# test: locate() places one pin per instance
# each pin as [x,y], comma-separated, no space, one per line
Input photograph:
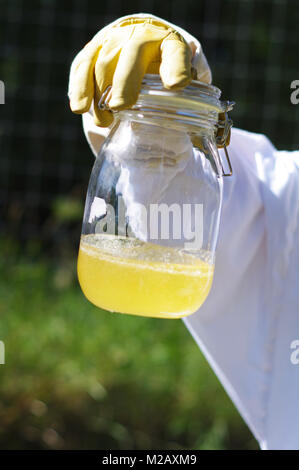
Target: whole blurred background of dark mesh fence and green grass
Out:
[76,377]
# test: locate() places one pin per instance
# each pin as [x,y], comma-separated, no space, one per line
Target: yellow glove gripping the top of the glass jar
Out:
[120,55]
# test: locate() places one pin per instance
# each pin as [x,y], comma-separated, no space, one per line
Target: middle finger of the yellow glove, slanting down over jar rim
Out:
[133,62]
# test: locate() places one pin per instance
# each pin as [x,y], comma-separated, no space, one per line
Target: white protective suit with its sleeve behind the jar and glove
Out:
[246,326]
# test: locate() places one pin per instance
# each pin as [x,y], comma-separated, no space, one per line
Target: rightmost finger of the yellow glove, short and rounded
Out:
[175,68]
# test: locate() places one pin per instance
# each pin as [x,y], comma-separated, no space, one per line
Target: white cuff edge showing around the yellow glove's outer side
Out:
[95,135]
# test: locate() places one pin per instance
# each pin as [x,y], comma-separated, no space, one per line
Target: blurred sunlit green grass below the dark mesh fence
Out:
[77,377]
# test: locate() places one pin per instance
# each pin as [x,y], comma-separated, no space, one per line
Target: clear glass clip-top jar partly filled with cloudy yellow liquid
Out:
[153,205]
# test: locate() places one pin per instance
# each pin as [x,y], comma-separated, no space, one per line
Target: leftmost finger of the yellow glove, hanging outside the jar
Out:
[81,83]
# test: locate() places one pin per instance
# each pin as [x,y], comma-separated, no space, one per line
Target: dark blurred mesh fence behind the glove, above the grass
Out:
[252,47]
